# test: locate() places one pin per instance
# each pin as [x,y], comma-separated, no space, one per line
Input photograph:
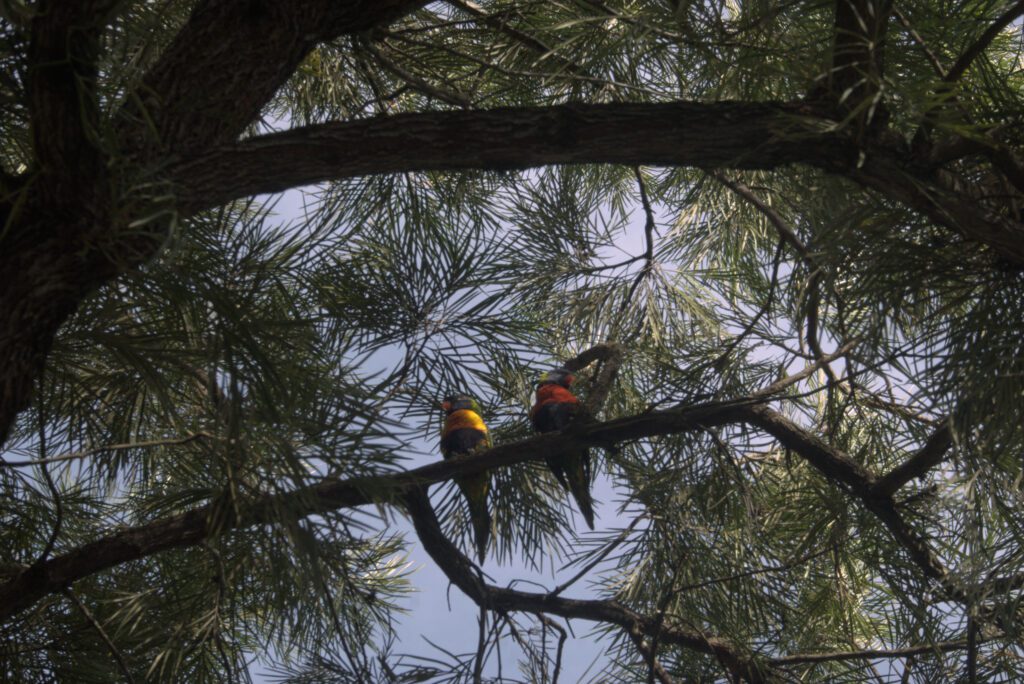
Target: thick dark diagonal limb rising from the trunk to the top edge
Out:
[232,57]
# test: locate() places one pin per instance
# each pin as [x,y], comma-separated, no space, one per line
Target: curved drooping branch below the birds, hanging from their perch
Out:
[462,574]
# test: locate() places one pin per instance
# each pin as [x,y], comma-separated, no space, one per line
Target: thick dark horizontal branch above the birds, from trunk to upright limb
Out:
[729,135]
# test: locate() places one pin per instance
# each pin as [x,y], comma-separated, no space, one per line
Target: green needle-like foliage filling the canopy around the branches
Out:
[261,356]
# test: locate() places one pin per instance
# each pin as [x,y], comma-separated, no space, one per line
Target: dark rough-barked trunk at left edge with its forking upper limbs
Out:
[63,235]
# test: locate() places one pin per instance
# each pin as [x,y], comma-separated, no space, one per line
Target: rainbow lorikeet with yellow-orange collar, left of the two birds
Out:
[462,435]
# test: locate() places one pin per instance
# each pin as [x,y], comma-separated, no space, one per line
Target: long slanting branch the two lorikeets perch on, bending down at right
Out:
[198,526]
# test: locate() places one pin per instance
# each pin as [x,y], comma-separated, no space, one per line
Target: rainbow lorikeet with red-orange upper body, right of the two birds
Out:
[558,407]
